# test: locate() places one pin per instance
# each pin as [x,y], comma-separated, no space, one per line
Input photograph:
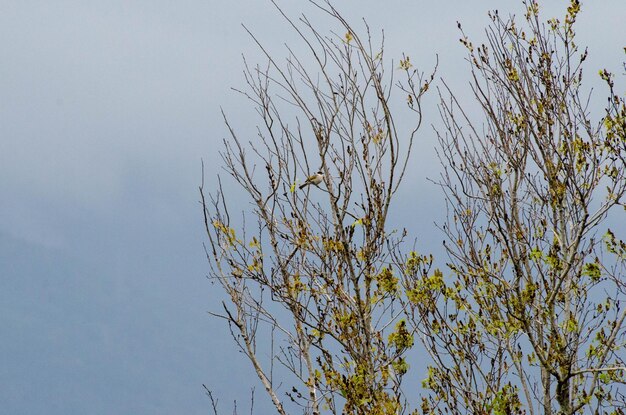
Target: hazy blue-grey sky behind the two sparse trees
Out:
[106,111]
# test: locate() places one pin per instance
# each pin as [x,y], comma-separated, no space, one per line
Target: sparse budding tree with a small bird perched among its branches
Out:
[311,280]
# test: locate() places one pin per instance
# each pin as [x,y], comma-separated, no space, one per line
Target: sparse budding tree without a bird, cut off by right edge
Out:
[531,319]
